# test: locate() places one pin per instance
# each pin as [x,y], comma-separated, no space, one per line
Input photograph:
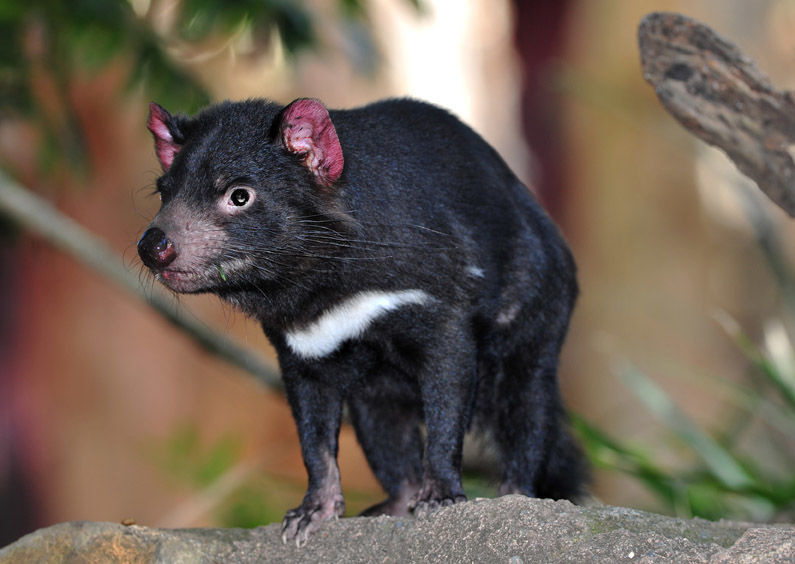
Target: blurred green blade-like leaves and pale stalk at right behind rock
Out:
[742,468]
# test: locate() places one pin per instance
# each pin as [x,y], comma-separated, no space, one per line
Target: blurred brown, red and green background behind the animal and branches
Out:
[679,366]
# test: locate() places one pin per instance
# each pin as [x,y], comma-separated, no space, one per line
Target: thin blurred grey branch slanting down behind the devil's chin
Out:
[37,215]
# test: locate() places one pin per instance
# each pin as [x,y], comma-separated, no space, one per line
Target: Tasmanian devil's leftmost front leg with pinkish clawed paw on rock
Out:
[317,410]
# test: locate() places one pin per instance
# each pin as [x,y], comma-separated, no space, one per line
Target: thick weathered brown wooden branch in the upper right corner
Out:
[718,94]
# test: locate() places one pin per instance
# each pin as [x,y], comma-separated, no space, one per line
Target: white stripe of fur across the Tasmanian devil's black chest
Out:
[348,320]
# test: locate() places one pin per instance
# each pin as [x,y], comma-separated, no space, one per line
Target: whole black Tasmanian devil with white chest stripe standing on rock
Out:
[398,267]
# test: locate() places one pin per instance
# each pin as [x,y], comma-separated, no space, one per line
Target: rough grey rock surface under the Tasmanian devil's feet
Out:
[512,529]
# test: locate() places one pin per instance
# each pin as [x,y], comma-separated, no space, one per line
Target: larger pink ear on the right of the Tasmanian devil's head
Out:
[307,130]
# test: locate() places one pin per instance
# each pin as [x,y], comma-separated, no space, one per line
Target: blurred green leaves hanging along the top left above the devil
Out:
[47,43]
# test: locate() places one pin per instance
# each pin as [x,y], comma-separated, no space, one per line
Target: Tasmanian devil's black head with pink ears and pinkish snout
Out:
[242,184]
